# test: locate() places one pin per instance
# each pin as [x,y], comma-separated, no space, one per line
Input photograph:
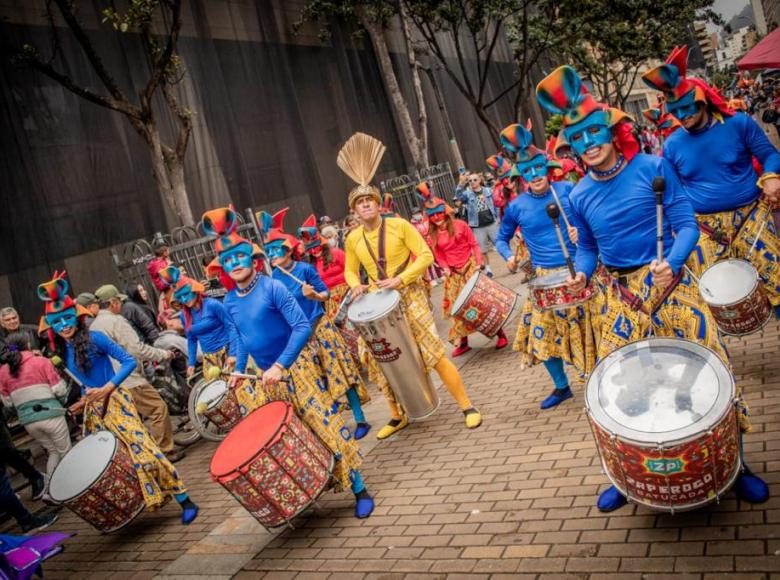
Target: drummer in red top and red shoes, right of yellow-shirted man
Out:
[457,251]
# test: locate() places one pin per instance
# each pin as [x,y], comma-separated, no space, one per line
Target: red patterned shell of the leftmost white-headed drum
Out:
[114,499]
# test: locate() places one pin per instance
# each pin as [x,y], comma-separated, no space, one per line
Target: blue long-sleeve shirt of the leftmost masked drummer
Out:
[101,350]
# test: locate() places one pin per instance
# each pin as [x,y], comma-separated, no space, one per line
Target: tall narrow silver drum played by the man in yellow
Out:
[379,318]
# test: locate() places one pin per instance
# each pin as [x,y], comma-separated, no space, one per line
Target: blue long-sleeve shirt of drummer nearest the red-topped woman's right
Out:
[529,213]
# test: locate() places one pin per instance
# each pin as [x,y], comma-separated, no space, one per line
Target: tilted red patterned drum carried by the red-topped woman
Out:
[483,304]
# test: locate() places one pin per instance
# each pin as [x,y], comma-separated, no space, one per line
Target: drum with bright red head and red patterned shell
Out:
[272,464]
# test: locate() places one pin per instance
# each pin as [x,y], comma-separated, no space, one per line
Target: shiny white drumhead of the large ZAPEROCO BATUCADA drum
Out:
[659,390]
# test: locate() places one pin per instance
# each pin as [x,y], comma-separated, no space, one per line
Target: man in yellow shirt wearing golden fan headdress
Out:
[384,246]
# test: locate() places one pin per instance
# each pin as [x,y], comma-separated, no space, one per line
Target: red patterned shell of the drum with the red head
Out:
[284,477]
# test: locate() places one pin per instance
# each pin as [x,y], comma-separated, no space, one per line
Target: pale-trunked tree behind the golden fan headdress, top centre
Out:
[374,18]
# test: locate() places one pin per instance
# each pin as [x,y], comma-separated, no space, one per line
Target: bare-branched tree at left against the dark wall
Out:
[165,72]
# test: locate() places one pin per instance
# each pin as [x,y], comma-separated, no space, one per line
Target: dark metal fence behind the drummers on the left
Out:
[188,248]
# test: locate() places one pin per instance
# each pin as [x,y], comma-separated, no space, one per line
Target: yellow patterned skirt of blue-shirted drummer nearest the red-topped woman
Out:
[566,334]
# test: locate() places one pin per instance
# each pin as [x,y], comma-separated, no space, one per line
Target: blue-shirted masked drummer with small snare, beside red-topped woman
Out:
[552,337]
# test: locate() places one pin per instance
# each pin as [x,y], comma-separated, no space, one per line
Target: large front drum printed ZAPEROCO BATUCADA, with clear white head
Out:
[664,418]
